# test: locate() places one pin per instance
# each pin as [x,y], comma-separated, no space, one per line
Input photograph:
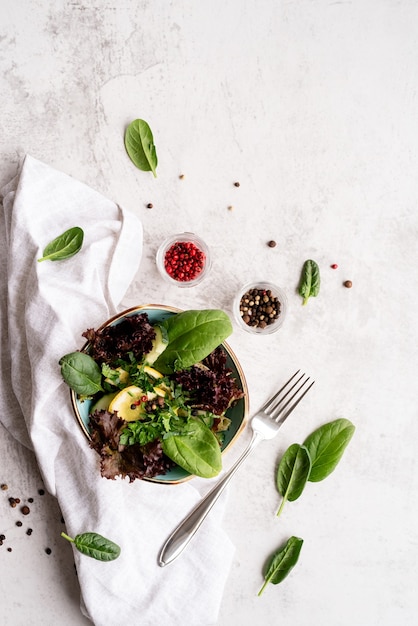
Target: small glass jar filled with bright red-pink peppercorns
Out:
[183,260]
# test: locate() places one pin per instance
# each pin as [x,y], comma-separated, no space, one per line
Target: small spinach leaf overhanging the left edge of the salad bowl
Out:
[81,373]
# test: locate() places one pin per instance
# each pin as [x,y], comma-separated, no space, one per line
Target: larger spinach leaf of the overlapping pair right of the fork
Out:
[326,446]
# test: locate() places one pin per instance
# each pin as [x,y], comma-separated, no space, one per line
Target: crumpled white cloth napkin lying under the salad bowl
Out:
[44,309]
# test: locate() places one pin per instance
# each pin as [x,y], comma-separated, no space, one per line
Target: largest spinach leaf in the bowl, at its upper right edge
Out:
[192,335]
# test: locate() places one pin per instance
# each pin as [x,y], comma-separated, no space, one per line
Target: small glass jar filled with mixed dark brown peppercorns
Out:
[260,307]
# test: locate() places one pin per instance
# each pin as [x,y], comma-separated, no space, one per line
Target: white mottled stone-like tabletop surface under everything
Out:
[312,107]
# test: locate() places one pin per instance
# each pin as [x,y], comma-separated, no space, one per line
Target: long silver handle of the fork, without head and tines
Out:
[185,531]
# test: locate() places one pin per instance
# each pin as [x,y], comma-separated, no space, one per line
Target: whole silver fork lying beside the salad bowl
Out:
[265,425]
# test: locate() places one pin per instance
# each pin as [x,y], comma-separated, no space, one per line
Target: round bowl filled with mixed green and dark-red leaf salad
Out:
[158,393]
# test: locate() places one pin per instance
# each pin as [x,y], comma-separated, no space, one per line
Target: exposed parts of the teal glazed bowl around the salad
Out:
[237,414]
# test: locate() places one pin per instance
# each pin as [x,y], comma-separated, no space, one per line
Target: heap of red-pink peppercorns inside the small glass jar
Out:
[184,261]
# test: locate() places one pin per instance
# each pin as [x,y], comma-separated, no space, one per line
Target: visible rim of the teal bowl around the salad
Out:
[224,344]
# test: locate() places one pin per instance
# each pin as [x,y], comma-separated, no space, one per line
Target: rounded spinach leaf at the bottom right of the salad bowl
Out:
[195,449]
